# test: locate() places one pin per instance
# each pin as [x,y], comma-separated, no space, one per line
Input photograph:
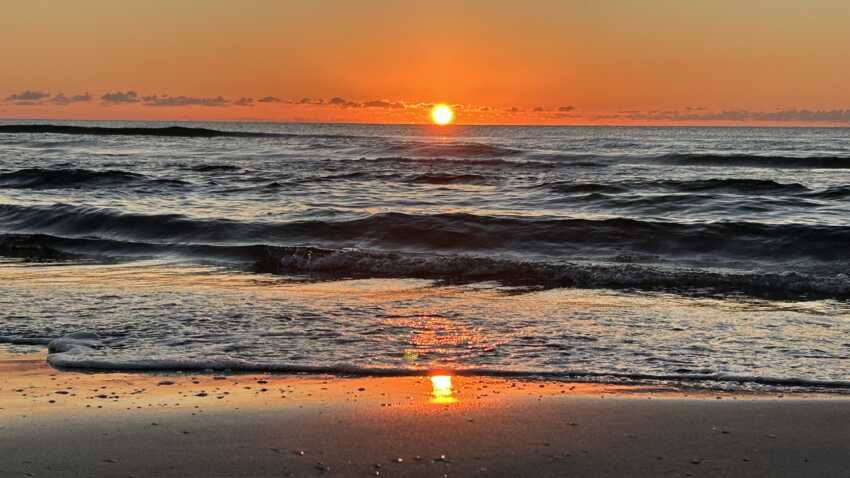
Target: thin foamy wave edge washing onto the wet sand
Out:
[74,352]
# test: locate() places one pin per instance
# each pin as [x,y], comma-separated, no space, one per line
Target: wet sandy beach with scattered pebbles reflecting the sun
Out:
[119,425]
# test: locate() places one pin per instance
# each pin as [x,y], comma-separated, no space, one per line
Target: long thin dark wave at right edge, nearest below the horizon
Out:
[754,161]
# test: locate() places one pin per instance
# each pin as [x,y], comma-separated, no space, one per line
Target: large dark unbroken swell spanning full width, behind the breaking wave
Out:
[452,233]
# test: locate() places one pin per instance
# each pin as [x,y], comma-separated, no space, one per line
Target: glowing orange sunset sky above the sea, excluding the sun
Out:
[530,62]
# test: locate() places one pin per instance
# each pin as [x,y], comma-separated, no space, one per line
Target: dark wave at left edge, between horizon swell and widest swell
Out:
[37,178]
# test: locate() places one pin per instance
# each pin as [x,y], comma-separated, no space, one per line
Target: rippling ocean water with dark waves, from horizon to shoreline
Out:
[707,256]
